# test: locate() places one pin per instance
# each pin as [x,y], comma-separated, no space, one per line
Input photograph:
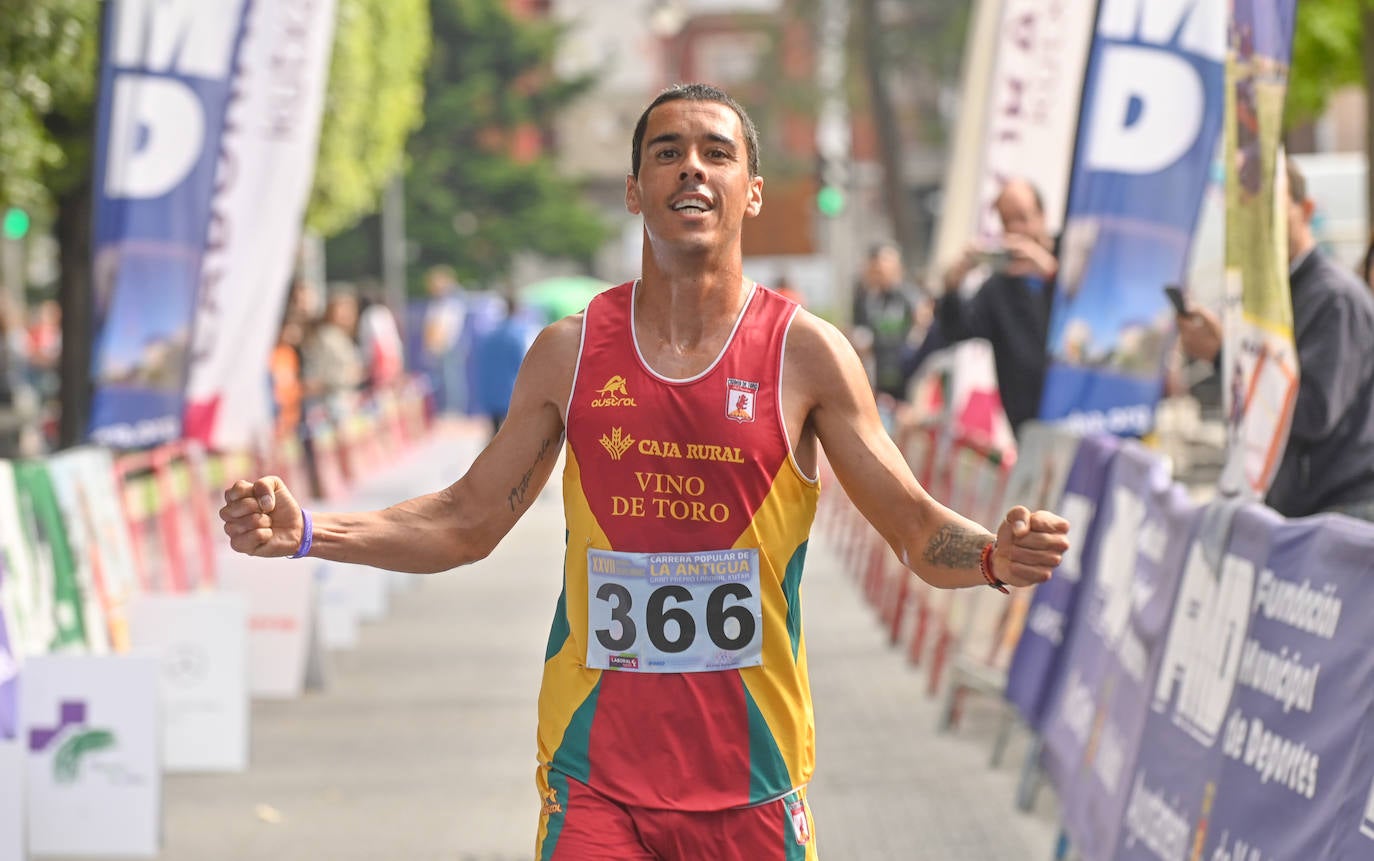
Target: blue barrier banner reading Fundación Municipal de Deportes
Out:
[1258,742]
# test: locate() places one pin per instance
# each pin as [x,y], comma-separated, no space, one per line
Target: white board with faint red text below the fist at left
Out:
[281,604]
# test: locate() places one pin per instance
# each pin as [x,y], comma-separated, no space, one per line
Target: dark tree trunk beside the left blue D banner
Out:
[76,297]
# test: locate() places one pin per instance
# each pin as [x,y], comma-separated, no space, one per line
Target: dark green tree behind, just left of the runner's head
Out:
[473,200]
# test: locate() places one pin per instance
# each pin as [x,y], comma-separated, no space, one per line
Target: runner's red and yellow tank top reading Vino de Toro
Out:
[689,491]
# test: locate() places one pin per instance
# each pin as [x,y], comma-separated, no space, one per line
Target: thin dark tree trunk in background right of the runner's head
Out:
[890,133]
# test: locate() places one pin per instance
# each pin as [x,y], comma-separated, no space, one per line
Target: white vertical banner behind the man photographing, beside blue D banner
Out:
[1034,97]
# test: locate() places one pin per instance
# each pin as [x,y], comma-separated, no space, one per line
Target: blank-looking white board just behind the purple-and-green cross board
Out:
[203,642]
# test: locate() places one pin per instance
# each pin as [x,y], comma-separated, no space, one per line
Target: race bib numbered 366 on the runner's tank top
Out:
[674,613]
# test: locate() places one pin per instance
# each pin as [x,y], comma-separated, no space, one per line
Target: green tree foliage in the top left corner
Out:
[47,90]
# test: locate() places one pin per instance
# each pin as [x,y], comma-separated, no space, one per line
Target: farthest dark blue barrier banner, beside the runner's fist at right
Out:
[1052,620]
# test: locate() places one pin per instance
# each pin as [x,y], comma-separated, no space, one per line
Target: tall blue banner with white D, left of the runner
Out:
[166,89]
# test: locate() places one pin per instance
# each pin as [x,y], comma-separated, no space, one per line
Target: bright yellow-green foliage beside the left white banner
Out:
[373,104]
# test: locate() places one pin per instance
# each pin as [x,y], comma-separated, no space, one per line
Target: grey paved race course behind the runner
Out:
[423,744]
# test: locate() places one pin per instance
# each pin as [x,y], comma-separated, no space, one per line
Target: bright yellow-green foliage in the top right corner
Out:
[1327,56]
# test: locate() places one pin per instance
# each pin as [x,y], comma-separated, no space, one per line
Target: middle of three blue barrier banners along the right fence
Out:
[1093,728]
